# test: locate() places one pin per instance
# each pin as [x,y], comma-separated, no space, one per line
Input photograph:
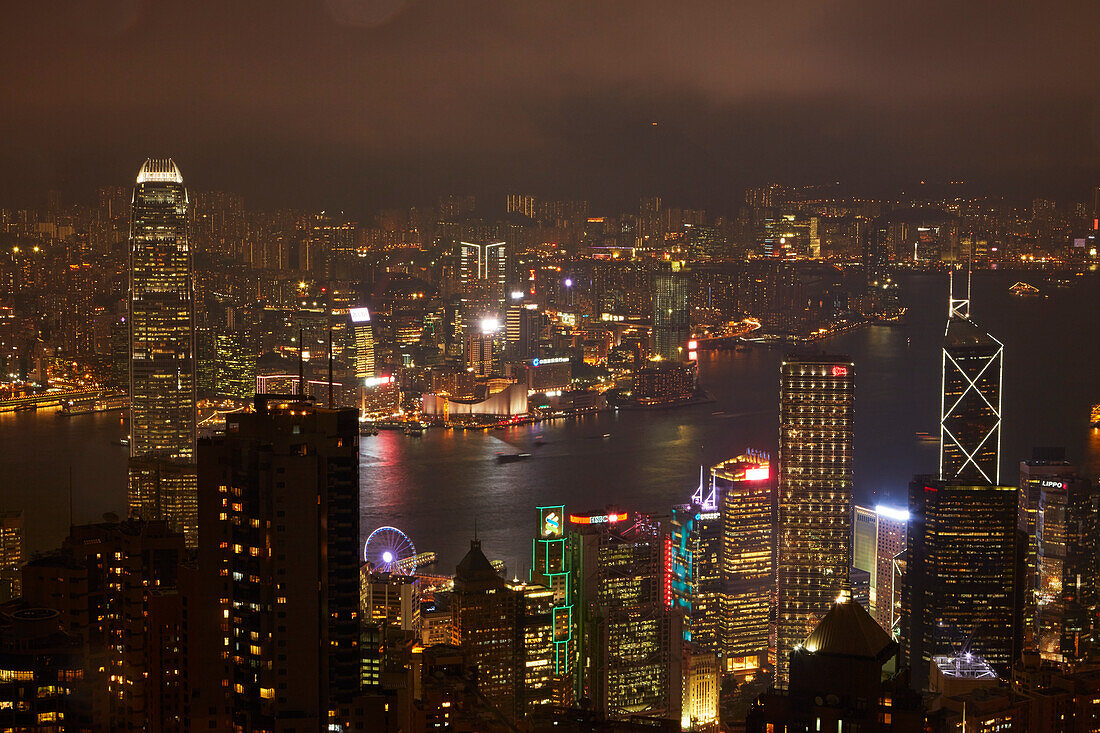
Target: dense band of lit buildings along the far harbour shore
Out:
[439,300]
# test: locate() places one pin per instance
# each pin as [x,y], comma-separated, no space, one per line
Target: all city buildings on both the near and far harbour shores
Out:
[235,596]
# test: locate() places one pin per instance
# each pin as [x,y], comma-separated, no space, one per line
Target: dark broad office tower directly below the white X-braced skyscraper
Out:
[962,577]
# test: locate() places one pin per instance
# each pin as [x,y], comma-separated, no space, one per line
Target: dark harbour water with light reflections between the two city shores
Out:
[436,487]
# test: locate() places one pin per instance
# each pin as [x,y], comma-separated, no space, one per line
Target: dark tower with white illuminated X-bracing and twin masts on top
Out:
[971,403]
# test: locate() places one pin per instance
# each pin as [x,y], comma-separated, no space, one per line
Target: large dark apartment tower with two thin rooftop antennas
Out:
[279,619]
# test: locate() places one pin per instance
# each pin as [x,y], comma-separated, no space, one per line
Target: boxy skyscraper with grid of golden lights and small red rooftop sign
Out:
[816,461]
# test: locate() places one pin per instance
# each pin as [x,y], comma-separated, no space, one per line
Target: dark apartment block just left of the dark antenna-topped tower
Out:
[113,585]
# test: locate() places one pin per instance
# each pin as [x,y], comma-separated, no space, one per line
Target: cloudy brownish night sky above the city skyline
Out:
[365,104]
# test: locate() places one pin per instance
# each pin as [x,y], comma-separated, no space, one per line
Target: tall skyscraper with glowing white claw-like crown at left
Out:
[162,351]
